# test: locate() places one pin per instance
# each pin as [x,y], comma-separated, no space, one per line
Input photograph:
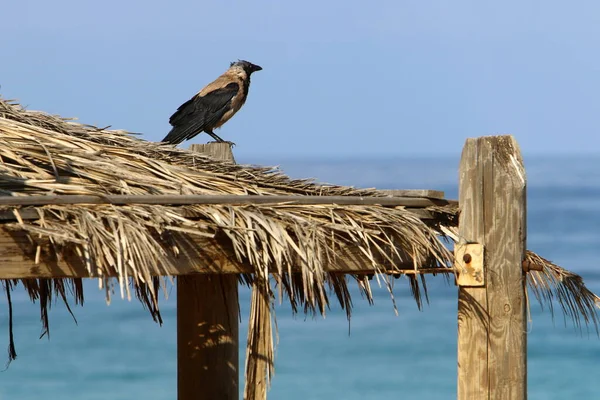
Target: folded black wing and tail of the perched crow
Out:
[200,113]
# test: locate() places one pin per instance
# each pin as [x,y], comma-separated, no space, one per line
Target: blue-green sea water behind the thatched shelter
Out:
[117,352]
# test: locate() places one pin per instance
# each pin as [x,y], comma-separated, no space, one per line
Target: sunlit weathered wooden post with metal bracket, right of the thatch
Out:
[492,325]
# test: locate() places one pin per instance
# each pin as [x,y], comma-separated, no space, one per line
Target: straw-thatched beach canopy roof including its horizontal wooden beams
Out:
[134,213]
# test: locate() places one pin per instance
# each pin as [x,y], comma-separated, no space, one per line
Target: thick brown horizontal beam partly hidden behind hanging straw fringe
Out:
[197,256]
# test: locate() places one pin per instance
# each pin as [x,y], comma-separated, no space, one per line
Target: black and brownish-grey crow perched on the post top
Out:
[214,105]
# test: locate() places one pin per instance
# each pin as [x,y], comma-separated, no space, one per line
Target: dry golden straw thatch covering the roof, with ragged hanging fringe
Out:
[285,244]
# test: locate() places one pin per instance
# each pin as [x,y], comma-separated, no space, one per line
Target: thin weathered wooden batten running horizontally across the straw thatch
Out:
[392,201]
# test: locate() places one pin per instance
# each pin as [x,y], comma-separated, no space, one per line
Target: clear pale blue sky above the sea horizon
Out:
[341,79]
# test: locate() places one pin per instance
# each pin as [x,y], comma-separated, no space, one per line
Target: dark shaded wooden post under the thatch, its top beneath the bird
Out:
[208,326]
